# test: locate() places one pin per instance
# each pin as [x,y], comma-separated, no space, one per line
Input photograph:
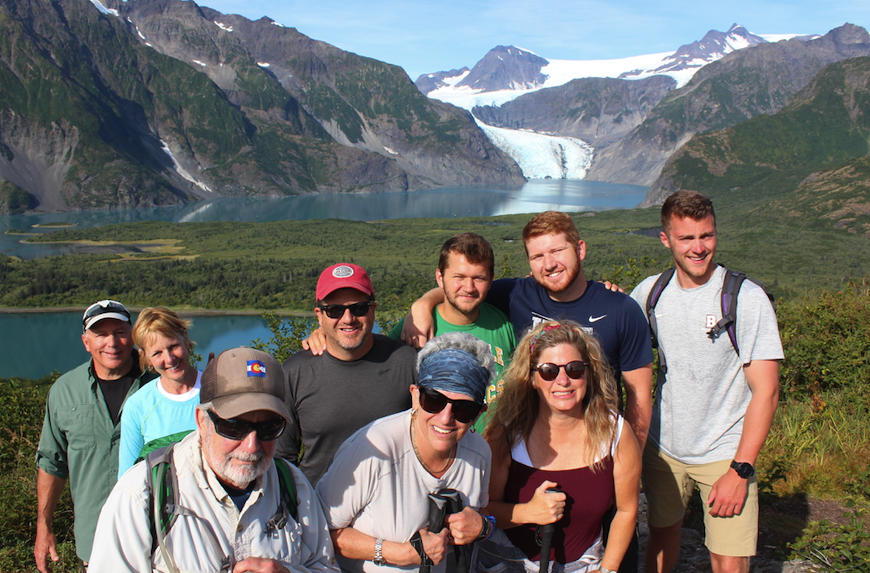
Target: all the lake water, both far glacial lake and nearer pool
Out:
[34,344]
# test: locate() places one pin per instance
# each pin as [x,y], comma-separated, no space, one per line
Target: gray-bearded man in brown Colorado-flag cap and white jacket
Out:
[230,509]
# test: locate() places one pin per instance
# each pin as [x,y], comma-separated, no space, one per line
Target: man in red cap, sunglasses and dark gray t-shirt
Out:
[359,378]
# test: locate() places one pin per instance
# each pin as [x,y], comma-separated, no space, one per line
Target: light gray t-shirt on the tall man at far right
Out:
[701,402]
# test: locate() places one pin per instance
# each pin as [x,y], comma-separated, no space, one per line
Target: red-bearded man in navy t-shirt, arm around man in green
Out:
[558,290]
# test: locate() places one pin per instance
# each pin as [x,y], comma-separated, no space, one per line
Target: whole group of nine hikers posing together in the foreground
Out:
[514,440]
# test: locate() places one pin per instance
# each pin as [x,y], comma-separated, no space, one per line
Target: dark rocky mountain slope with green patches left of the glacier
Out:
[161,101]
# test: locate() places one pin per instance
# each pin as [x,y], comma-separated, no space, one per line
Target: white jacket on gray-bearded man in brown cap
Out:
[123,539]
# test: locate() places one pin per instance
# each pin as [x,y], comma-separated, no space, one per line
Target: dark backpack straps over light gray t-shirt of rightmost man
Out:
[728,302]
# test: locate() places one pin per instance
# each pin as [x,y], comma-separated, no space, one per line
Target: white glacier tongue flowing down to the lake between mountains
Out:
[542,156]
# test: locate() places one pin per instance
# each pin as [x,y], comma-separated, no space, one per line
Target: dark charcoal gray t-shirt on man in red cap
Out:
[330,399]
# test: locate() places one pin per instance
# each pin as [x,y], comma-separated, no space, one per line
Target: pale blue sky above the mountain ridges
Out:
[440,35]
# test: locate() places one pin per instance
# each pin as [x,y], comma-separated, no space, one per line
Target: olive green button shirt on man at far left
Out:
[79,442]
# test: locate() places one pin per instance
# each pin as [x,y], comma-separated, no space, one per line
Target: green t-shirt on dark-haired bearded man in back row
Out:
[494,328]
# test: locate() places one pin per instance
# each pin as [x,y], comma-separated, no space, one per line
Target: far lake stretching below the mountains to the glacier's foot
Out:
[567,195]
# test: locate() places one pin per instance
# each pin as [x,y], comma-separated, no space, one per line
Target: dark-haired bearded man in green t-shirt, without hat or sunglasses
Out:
[466,266]
